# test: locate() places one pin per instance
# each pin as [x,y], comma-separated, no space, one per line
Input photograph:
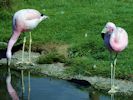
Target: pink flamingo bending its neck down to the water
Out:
[23,20]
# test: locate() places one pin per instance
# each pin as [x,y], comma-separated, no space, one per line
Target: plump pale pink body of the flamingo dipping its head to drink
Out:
[26,19]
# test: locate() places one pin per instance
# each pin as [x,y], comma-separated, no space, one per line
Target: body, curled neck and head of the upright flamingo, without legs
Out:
[116,40]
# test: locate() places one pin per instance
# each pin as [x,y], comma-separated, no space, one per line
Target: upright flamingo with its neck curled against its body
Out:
[116,40]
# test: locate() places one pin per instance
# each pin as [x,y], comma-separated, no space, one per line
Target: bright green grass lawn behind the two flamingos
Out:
[69,21]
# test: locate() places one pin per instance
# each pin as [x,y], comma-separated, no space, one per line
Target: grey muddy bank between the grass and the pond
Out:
[58,70]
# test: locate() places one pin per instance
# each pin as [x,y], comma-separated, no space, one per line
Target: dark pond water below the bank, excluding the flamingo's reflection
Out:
[46,88]
